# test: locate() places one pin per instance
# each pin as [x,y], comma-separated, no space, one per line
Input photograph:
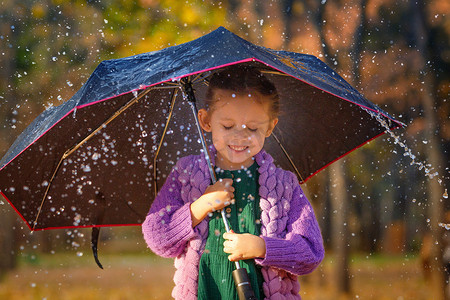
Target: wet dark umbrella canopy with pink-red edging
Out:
[96,159]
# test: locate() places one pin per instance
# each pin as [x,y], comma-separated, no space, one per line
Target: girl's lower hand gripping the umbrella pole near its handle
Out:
[243,246]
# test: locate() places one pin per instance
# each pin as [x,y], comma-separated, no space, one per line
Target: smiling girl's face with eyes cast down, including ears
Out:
[239,125]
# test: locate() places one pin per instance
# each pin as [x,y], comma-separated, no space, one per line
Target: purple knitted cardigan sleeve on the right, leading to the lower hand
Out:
[301,251]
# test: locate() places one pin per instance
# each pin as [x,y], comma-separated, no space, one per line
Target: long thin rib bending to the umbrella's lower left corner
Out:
[79,144]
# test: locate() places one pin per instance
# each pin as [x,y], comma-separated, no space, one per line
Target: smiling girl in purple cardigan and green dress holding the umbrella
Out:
[276,236]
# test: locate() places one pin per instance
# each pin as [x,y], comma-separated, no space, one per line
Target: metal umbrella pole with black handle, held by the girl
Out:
[240,276]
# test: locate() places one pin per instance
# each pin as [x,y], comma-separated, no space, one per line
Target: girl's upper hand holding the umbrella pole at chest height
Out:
[216,197]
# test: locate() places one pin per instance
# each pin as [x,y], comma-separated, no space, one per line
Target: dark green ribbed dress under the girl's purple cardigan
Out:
[215,278]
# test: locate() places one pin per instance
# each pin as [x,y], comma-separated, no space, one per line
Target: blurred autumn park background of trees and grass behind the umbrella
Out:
[384,220]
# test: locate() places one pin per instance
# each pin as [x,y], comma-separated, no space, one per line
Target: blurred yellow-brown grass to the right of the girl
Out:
[396,277]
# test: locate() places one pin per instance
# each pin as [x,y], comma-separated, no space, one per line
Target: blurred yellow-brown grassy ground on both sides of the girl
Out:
[142,275]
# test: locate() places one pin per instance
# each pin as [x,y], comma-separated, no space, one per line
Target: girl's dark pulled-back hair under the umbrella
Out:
[243,79]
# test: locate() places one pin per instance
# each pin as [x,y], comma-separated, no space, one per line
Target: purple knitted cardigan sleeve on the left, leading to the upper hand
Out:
[168,225]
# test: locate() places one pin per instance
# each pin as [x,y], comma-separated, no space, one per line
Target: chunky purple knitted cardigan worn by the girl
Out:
[288,226]
